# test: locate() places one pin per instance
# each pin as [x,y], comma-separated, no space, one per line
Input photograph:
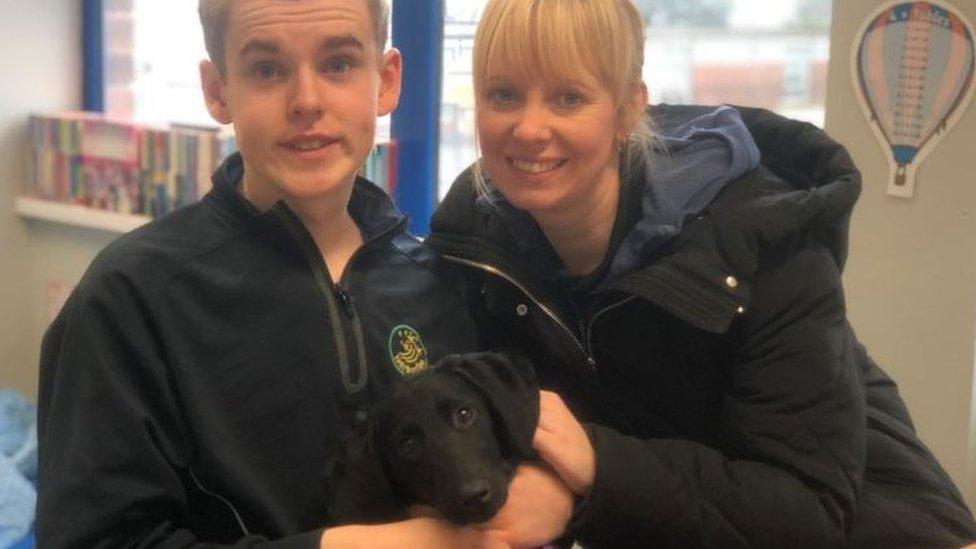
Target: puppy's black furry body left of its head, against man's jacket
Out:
[357,487]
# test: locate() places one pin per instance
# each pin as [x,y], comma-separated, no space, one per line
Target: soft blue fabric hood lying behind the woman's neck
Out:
[701,150]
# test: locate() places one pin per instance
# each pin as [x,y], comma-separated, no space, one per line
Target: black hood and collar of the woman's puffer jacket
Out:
[806,182]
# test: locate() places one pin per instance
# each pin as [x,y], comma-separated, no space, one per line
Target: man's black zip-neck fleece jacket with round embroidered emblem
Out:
[207,367]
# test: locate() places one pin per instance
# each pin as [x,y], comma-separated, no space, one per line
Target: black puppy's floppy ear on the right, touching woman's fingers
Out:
[509,386]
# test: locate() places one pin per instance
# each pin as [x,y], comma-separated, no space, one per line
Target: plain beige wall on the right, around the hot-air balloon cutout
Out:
[911,278]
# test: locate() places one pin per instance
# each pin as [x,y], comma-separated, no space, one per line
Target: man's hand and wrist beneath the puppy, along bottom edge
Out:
[409,534]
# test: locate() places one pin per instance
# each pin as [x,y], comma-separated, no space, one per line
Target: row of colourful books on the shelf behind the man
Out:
[88,159]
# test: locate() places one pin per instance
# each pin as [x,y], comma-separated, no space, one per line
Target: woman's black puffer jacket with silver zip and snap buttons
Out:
[730,402]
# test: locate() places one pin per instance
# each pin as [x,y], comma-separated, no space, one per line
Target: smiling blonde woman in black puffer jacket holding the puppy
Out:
[683,298]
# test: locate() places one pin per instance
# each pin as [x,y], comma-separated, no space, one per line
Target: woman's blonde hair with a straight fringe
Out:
[553,39]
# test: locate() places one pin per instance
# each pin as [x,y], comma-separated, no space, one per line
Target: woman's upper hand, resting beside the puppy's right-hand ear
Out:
[562,442]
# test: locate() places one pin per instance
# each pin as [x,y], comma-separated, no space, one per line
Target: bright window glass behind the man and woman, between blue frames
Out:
[769,53]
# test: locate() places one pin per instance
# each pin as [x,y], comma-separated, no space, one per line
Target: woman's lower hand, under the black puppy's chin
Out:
[537,510]
